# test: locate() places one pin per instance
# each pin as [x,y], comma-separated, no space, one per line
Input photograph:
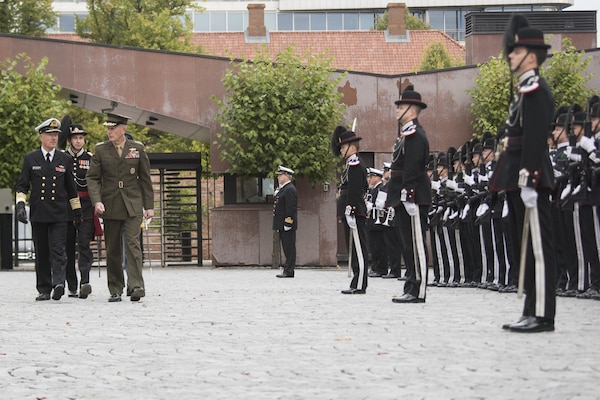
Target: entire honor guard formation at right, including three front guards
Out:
[514,211]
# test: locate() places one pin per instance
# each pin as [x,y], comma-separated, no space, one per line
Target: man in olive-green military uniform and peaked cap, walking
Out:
[120,188]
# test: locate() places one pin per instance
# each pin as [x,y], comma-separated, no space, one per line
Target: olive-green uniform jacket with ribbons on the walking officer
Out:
[123,184]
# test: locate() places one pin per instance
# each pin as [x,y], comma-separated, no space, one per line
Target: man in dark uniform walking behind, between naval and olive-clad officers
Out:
[85,233]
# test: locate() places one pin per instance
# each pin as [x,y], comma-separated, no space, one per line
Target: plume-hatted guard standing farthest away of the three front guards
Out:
[351,207]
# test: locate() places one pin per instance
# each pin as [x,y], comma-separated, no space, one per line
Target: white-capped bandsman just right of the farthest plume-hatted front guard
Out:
[379,260]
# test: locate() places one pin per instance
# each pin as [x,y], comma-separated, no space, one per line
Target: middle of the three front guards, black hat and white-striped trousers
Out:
[409,192]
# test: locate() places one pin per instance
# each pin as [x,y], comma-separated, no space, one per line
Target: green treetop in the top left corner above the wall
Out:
[27,17]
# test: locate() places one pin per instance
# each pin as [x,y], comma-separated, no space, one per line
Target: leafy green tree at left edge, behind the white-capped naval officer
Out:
[26,100]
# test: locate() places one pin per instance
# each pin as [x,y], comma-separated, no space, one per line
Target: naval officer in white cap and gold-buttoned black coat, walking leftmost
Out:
[48,173]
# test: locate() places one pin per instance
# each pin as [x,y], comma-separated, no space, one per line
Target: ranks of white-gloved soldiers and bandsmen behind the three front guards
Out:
[472,242]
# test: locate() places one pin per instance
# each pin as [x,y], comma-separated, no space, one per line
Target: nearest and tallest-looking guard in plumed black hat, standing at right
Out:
[524,171]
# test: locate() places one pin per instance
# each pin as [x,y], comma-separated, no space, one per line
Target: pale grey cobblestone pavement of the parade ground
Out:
[205,333]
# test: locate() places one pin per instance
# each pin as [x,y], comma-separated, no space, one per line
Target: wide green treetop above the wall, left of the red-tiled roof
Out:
[149,24]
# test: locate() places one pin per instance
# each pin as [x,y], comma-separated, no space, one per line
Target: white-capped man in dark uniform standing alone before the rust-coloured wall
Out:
[285,221]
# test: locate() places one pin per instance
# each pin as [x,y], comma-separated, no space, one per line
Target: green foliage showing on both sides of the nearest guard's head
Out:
[565,73]
